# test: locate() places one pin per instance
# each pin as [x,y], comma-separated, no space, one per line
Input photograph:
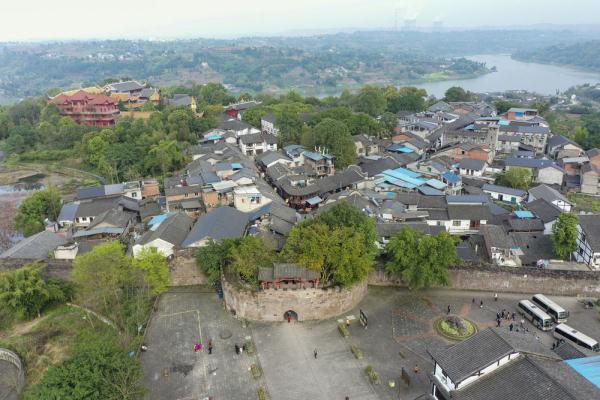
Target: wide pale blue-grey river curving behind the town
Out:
[516,75]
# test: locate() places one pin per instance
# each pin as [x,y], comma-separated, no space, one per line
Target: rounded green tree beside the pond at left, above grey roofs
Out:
[35,209]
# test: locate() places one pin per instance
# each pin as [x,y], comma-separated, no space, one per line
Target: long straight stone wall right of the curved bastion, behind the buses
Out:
[516,280]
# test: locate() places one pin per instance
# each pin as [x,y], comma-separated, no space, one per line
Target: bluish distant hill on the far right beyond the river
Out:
[582,55]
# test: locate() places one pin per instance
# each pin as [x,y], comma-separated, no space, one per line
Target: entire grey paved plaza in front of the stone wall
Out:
[399,333]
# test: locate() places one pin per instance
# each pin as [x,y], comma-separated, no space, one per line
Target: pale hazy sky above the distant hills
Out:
[79,19]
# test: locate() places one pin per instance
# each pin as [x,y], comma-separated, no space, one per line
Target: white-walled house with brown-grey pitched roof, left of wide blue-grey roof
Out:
[165,237]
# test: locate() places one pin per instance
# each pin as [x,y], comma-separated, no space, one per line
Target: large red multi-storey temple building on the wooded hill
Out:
[87,108]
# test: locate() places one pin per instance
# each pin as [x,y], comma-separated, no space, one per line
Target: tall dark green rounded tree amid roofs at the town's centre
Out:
[334,136]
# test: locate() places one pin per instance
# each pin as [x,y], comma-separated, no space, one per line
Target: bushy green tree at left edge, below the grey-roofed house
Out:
[26,293]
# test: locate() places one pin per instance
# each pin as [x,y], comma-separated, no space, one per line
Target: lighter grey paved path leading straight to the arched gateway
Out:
[292,372]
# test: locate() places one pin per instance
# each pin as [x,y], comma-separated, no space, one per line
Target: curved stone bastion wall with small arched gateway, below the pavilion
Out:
[308,304]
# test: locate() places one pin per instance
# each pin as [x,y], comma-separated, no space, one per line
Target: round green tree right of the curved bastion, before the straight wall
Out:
[421,260]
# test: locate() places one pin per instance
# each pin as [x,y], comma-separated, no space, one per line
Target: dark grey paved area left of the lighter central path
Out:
[175,372]
